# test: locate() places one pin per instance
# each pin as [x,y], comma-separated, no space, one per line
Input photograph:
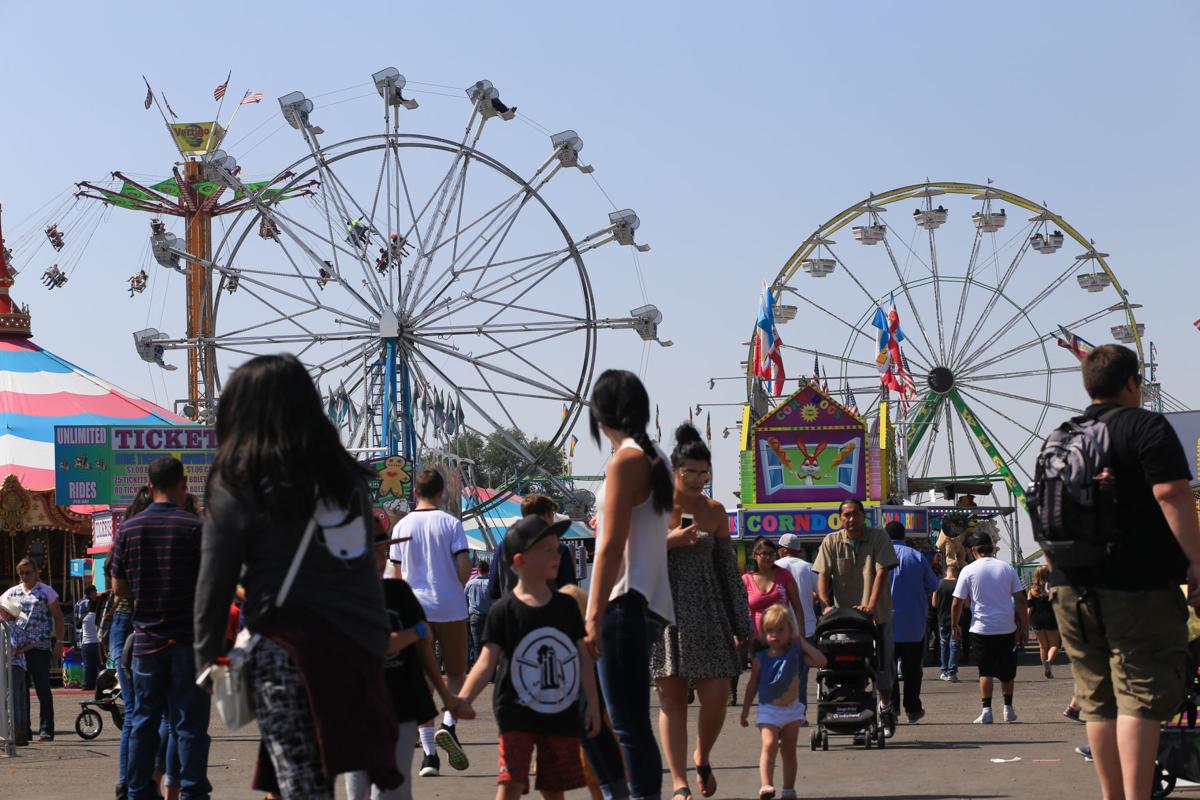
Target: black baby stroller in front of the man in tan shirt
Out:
[848,699]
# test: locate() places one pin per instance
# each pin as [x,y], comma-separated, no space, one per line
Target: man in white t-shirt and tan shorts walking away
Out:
[433,555]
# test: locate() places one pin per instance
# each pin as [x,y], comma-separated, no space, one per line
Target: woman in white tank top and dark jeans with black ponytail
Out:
[631,599]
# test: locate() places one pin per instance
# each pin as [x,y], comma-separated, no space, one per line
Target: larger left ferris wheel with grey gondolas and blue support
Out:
[437,297]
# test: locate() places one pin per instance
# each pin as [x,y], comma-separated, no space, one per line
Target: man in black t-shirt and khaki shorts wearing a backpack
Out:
[1115,514]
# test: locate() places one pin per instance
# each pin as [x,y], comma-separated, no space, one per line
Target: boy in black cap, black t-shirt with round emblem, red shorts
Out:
[536,637]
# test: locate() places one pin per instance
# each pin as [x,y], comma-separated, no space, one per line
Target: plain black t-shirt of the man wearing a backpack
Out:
[1145,452]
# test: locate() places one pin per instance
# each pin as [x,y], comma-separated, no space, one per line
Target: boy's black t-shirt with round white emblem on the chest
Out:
[539,681]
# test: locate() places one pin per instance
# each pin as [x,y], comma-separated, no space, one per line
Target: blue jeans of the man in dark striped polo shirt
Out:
[166,682]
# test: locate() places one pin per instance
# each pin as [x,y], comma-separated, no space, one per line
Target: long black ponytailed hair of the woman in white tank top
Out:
[620,402]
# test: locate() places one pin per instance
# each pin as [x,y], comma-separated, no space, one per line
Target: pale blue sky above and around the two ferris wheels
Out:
[734,131]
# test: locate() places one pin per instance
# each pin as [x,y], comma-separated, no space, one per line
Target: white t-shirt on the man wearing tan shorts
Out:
[428,560]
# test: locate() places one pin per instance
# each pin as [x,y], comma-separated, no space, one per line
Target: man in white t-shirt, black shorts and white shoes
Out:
[992,587]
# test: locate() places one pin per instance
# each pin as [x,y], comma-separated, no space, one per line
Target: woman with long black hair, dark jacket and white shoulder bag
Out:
[317,672]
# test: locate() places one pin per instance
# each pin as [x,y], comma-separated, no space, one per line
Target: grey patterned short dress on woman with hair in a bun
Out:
[711,610]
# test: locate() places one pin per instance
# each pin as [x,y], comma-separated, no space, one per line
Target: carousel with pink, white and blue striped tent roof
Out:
[38,392]
